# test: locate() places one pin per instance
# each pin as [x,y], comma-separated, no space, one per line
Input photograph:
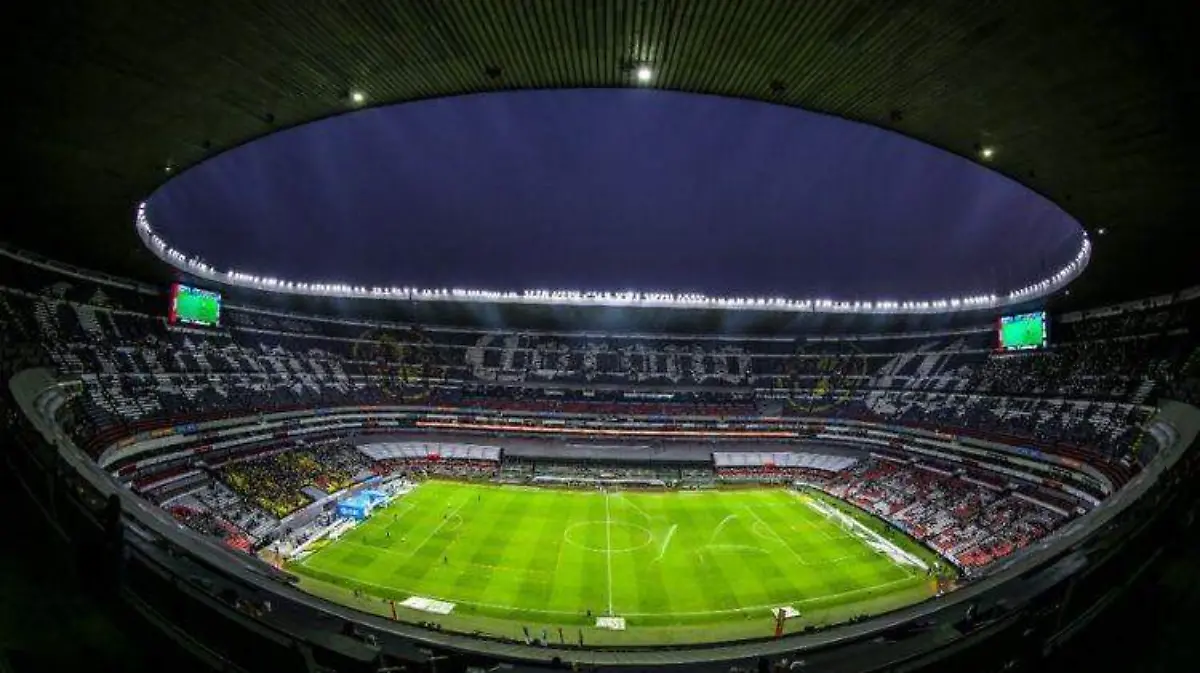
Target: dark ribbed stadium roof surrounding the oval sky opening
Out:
[1089,104]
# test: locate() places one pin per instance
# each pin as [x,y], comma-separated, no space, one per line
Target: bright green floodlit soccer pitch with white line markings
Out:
[677,567]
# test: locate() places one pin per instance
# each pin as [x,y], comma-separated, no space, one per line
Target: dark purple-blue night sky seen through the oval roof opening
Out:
[614,190]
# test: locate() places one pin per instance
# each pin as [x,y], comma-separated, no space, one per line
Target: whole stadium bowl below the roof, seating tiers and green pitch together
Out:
[843,476]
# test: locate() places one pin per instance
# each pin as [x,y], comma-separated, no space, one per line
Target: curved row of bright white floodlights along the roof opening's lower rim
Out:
[194,267]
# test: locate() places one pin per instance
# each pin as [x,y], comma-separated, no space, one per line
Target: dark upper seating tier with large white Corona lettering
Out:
[1088,396]
